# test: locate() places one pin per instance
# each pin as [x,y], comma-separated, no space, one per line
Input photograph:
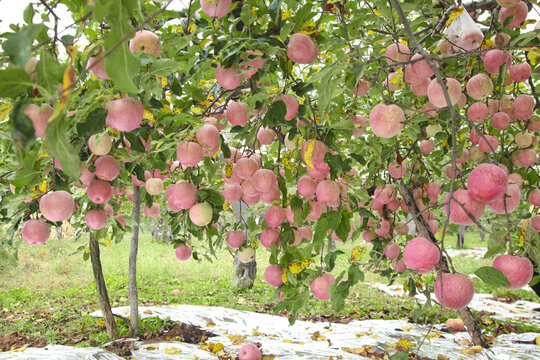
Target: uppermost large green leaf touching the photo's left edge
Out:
[19,45]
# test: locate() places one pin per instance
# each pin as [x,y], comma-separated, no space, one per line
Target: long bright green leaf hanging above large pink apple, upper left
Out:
[121,64]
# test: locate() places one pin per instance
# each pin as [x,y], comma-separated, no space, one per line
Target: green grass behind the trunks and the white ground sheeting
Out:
[49,293]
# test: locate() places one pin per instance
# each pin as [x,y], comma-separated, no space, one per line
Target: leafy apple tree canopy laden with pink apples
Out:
[385,122]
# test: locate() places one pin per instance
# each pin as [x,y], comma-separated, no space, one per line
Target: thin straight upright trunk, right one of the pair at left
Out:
[133,294]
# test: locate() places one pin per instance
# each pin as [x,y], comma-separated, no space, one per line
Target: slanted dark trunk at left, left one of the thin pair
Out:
[101,287]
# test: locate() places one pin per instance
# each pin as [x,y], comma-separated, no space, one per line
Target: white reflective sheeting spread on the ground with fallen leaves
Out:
[292,342]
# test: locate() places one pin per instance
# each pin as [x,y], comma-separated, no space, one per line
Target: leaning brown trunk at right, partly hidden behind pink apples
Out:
[423,230]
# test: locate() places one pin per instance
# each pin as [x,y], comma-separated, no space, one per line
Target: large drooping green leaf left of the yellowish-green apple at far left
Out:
[60,148]
